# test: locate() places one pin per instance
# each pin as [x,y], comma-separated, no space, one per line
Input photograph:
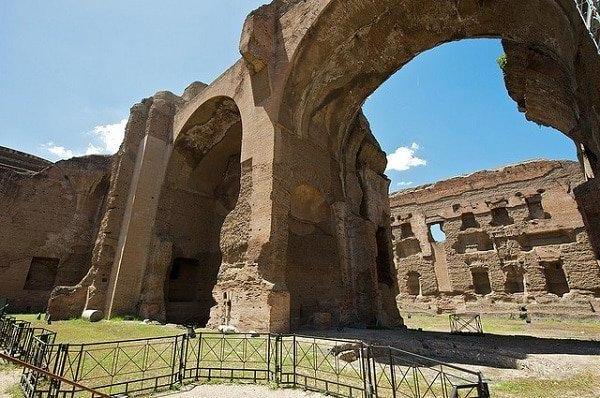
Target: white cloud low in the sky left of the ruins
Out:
[105,140]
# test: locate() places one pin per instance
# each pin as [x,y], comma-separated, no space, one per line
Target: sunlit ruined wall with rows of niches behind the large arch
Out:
[514,237]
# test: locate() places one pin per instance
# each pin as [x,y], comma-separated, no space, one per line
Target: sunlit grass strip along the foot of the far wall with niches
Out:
[588,329]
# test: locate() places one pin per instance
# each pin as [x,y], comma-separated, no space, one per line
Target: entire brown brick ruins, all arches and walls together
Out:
[260,201]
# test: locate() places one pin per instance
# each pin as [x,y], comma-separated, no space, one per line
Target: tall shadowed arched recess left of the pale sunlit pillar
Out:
[201,188]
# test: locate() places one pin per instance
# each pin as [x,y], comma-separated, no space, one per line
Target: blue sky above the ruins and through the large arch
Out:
[70,71]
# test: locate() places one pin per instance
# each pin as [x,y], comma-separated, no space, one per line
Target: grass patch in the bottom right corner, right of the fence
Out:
[580,386]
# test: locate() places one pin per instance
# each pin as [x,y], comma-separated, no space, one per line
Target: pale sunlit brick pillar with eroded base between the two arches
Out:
[250,293]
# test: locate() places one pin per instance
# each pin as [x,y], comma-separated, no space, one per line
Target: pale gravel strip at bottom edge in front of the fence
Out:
[246,391]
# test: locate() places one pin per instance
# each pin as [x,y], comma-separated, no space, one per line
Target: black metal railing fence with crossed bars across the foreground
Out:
[340,368]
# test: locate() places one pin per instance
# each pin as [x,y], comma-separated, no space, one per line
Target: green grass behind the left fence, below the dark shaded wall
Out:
[80,331]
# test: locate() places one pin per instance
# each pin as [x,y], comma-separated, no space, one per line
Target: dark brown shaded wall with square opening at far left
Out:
[50,219]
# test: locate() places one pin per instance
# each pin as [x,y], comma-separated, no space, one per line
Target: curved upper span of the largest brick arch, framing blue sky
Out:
[354,46]
